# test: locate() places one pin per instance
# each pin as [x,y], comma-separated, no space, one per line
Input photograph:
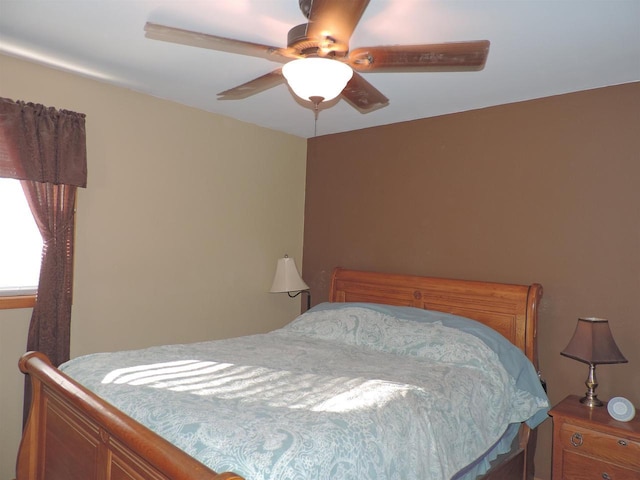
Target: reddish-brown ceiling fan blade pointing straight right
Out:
[454,56]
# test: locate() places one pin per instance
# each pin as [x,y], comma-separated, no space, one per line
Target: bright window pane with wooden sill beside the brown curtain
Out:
[20,245]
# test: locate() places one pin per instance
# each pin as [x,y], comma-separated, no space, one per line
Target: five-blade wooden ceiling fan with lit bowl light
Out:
[324,40]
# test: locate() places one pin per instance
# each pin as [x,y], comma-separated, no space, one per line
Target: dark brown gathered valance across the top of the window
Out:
[42,144]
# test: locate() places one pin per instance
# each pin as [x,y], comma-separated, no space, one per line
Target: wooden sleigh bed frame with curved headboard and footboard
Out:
[71,434]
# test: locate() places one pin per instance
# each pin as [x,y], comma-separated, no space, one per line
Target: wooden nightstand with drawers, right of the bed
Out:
[589,444]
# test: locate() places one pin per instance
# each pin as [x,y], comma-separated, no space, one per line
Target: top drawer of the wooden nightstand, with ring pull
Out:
[600,445]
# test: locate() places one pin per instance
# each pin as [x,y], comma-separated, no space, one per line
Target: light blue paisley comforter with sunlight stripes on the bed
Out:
[346,391]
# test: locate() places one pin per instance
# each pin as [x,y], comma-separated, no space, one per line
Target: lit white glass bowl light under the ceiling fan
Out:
[317,77]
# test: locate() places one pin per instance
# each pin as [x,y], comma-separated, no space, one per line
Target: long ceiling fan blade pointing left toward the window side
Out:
[213,42]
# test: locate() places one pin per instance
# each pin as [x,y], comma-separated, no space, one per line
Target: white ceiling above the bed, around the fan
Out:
[538,48]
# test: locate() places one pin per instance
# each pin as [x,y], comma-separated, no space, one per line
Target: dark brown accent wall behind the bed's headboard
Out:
[543,191]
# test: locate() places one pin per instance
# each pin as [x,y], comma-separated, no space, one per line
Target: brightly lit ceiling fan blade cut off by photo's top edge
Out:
[336,19]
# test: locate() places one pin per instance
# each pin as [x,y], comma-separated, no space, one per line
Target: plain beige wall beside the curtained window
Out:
[178,232]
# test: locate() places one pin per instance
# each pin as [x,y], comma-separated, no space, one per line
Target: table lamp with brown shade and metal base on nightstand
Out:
[593,343]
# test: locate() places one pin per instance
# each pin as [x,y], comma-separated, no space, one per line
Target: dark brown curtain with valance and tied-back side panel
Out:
[46,149]
